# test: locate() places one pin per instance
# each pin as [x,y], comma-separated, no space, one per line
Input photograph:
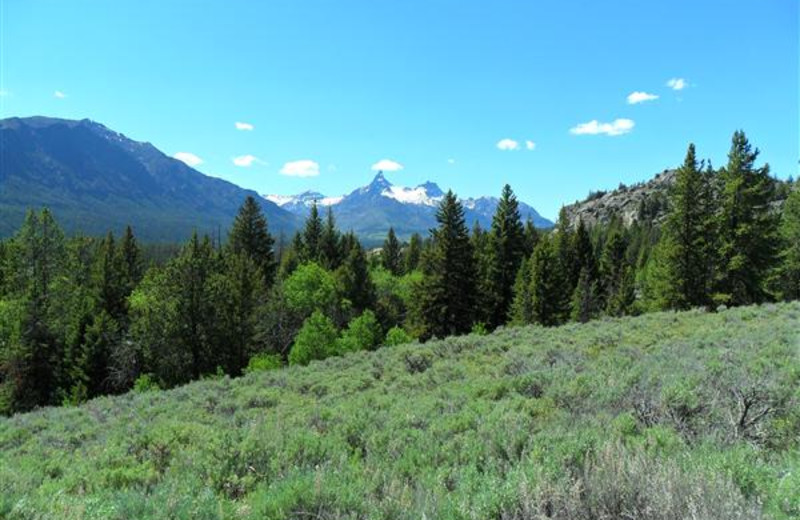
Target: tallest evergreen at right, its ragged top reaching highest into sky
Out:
[748,229]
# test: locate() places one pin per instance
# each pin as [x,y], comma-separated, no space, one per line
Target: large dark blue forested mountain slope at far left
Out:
[95,179]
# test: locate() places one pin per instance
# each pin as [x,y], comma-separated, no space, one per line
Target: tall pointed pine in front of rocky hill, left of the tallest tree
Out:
[686,238]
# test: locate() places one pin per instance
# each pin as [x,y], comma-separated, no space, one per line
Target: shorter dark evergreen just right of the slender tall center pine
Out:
[549,300]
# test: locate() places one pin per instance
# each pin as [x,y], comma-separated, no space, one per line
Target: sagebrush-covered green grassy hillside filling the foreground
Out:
[664,416]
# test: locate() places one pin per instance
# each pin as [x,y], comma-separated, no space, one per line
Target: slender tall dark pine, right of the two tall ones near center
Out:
[507,243]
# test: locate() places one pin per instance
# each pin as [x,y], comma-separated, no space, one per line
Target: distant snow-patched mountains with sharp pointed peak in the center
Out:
[372,209]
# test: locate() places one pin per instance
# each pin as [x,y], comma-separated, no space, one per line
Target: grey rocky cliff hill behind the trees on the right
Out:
[646,200]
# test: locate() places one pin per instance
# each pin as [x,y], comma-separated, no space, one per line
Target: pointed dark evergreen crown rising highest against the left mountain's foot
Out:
[250,236]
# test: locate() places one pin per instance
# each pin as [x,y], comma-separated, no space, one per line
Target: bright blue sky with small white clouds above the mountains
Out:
[437,86]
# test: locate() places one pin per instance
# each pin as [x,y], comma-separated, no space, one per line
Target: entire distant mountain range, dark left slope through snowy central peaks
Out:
[95,179]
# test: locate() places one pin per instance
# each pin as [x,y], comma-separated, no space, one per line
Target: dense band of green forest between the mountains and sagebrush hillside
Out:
[85,316]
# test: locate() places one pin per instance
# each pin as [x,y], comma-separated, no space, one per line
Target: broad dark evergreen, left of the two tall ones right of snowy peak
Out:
[447,296]
